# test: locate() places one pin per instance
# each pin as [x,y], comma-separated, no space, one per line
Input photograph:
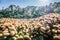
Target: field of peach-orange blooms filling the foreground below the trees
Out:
[46,27]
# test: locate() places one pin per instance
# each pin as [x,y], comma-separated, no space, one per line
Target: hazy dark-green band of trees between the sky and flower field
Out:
[14,11]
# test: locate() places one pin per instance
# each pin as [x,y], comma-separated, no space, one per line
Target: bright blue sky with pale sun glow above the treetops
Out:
[24,3]
